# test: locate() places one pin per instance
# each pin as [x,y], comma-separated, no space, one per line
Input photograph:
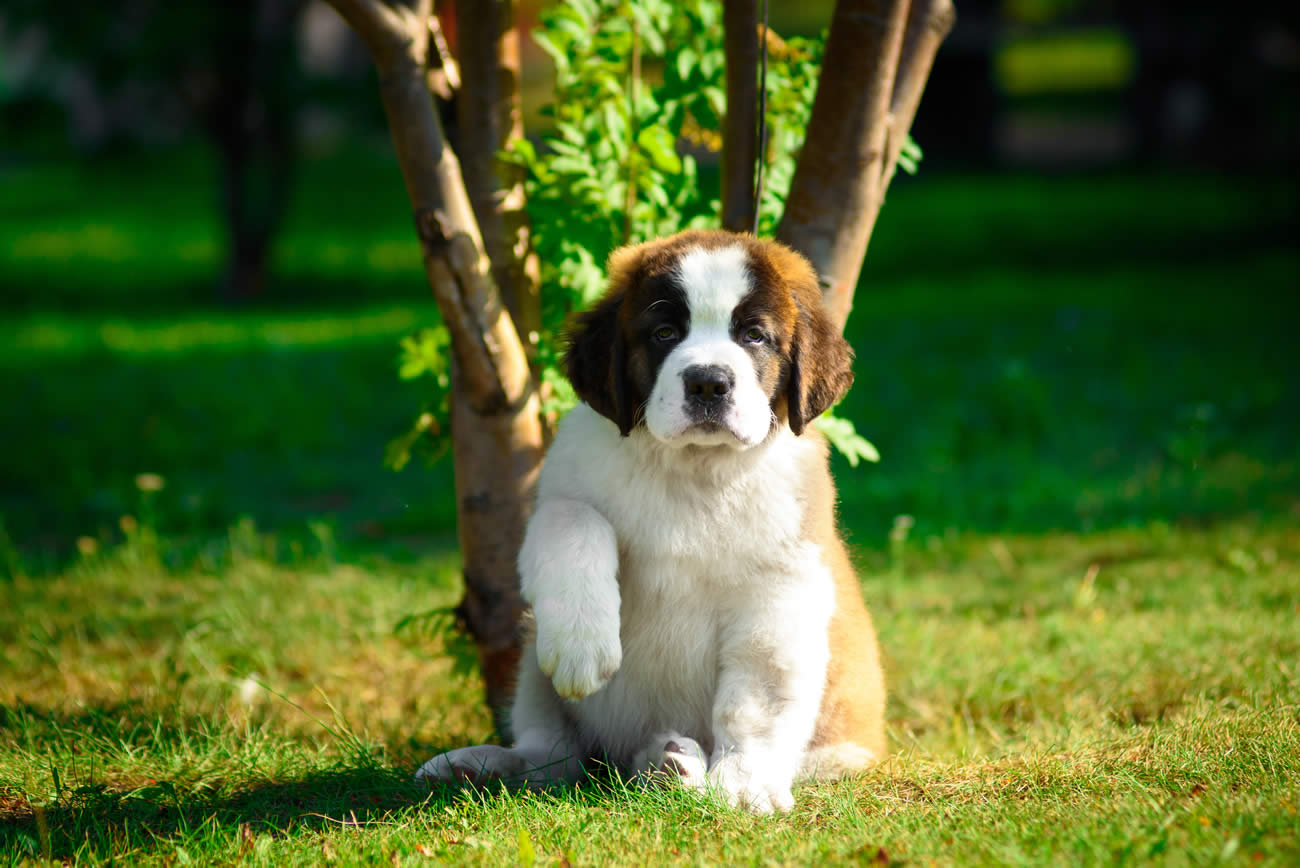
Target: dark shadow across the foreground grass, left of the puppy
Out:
[102,819]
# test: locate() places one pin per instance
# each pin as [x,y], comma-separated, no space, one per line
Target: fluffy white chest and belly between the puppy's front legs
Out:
[694,559]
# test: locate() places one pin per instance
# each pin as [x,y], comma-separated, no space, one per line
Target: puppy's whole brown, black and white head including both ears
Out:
[709,338]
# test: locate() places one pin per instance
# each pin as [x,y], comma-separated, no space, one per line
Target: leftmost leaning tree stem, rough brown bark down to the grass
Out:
[497,429]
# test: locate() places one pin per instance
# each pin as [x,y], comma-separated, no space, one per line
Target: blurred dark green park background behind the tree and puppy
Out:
[1080,315]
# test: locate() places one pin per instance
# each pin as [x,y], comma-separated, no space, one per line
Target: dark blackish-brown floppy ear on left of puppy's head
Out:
[597,363]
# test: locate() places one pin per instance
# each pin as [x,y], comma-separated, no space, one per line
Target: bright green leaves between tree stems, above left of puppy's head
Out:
[610,173]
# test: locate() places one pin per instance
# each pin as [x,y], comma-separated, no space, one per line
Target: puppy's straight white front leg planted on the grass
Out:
[773,674]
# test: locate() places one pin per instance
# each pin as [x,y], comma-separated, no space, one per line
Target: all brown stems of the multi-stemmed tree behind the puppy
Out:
[864,107]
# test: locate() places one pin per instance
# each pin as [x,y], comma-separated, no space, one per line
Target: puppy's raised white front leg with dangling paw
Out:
[569,572]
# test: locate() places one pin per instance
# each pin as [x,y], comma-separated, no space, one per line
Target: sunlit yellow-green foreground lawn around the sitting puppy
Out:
[1120,697]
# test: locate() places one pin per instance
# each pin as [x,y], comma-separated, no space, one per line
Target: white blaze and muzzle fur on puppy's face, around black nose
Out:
[714,281]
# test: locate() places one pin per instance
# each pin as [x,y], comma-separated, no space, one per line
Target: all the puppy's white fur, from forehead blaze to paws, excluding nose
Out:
[682,617]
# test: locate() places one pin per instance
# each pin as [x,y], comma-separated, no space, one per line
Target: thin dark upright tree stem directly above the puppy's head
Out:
[740,144]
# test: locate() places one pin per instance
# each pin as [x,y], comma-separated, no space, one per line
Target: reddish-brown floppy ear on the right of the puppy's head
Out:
[821,362]
